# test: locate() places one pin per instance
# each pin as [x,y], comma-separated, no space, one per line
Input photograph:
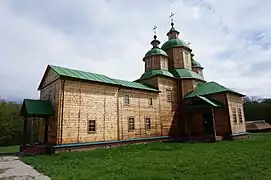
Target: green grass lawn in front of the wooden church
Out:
[239,159]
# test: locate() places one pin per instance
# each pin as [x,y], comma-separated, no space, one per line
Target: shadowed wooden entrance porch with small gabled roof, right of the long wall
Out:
[206,120]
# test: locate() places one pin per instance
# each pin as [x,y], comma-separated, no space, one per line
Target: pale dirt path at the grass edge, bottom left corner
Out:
[11,168]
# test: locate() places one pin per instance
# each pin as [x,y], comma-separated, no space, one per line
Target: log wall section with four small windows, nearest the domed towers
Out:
[139,108]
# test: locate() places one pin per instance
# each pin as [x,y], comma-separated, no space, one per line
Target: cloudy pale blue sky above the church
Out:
[231,39]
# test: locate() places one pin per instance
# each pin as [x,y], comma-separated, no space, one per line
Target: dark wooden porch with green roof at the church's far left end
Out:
[36,115]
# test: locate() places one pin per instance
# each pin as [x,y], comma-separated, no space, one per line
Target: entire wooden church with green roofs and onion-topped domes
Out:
[171,100]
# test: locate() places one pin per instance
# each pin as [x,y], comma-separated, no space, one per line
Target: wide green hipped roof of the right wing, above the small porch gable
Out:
[209,88]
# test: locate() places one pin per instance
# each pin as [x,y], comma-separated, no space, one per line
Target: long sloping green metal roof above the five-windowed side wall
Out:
[77,74]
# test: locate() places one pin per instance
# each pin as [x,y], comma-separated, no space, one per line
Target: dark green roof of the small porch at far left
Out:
[38,108]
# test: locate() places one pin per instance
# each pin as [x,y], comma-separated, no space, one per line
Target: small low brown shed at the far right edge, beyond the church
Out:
[258,126]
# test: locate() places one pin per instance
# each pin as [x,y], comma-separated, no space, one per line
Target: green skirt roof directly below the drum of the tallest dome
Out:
[185,74]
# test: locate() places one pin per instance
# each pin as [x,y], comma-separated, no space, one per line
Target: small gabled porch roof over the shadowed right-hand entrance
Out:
[201,101]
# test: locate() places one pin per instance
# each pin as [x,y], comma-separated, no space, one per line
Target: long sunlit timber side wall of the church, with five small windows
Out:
[84,101]
